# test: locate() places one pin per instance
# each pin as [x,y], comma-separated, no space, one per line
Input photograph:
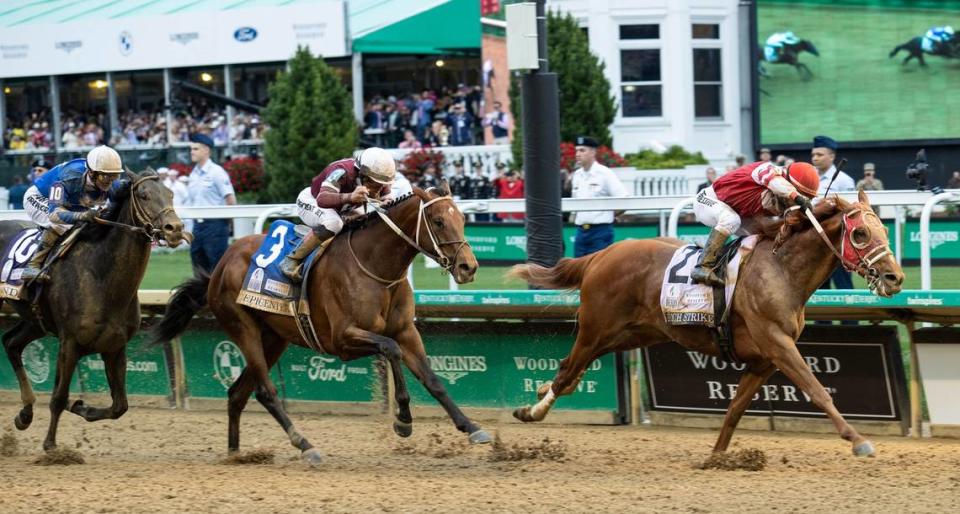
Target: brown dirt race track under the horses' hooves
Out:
[157,460]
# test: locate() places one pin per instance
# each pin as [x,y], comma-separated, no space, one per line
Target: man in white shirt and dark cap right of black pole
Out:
[593,180]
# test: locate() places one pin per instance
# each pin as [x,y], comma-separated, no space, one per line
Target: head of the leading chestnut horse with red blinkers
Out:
[865,247]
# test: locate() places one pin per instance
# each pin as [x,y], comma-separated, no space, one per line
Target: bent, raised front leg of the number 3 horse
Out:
[357,342]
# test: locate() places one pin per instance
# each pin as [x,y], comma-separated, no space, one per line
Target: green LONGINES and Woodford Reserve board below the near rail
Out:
[501,365]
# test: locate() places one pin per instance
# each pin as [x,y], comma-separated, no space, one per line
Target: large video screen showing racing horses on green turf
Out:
[858,70]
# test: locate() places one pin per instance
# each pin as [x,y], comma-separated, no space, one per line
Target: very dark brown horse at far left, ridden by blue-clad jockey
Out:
[90,302]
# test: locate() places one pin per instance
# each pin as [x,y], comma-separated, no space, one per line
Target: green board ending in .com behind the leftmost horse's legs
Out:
[147,371]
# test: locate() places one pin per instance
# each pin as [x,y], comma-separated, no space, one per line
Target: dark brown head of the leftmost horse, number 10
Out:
[151,207]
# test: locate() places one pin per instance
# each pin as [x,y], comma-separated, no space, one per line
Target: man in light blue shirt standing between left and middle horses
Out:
[209,185]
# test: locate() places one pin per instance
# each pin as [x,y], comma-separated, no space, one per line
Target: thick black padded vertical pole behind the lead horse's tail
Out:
[541,156]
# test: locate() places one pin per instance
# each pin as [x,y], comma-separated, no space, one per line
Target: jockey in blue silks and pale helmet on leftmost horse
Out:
[69,193]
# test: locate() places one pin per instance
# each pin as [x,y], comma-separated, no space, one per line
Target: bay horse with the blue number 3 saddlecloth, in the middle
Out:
[360,302]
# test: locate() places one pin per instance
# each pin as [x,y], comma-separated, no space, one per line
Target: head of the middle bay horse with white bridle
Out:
[444,225]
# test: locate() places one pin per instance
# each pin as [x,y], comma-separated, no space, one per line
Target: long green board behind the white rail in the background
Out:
[506,242]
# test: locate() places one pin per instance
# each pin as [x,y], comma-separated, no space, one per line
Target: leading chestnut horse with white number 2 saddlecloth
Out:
[620,304]
